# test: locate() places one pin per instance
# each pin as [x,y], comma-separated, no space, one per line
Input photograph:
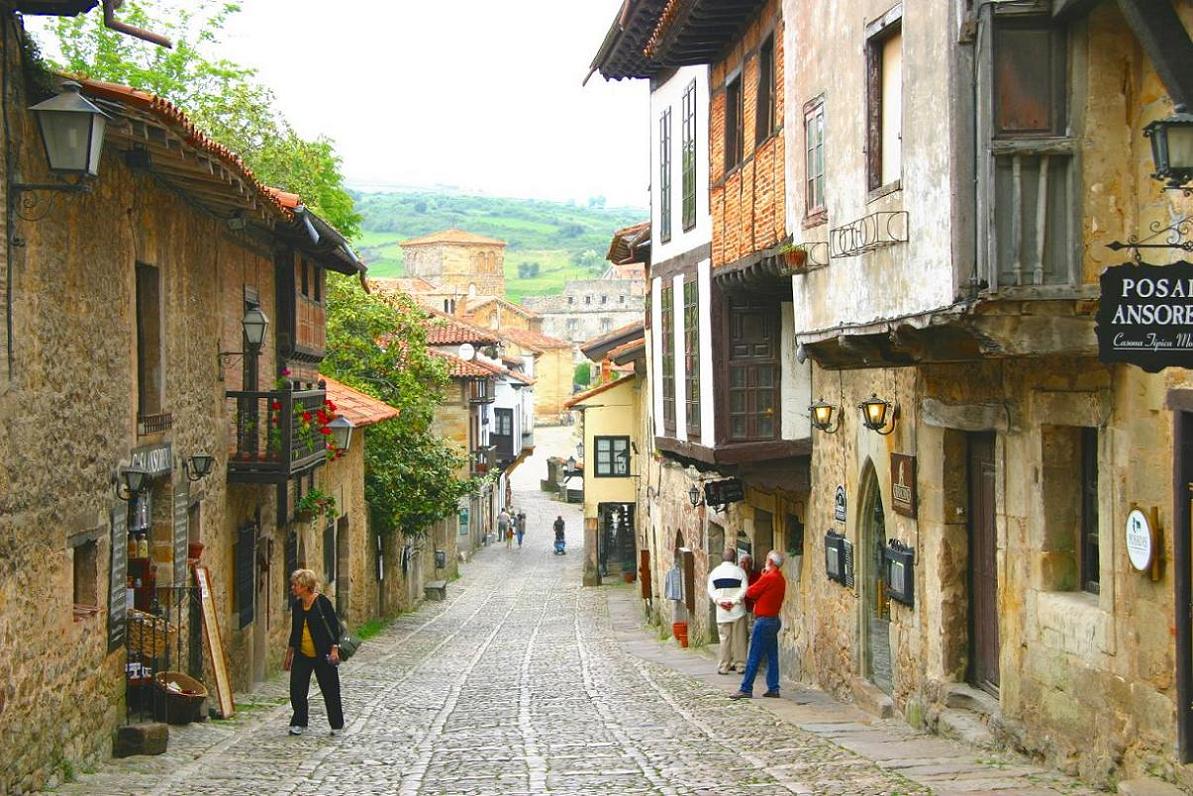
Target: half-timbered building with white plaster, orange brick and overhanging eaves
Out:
[728,396]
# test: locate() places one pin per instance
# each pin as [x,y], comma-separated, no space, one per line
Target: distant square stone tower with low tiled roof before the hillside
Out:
[456,260]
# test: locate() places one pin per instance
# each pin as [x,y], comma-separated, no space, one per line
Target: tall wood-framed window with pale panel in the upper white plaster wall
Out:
[885,101]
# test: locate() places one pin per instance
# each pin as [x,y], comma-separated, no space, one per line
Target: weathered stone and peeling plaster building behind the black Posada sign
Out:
[955,200]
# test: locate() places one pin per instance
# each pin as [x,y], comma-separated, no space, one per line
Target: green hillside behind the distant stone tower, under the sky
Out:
[548,243]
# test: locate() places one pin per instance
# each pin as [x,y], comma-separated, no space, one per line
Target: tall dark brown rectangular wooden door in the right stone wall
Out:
[984,573]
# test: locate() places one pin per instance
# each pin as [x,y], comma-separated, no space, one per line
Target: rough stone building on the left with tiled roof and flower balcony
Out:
[129,307]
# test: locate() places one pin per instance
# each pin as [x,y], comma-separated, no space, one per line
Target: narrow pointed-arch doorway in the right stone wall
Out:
[876,641]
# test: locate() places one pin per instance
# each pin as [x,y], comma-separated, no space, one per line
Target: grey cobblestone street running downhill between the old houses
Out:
[521,683]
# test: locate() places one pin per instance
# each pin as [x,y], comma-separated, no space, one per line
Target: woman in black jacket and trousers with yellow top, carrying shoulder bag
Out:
[314,647]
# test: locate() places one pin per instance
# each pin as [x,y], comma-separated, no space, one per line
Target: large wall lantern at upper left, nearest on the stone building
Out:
[72,131]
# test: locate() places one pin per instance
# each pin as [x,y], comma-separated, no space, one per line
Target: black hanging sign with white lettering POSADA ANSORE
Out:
[1146,316]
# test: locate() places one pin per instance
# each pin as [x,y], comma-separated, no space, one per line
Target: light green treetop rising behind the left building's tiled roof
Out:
[222,98]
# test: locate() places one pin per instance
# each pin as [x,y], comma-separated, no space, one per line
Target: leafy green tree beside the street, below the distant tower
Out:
[378,345]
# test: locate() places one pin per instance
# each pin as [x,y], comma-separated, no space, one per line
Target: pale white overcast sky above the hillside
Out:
[477,95]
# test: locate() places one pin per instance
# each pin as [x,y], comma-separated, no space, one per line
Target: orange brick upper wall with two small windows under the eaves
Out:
[747,202]
